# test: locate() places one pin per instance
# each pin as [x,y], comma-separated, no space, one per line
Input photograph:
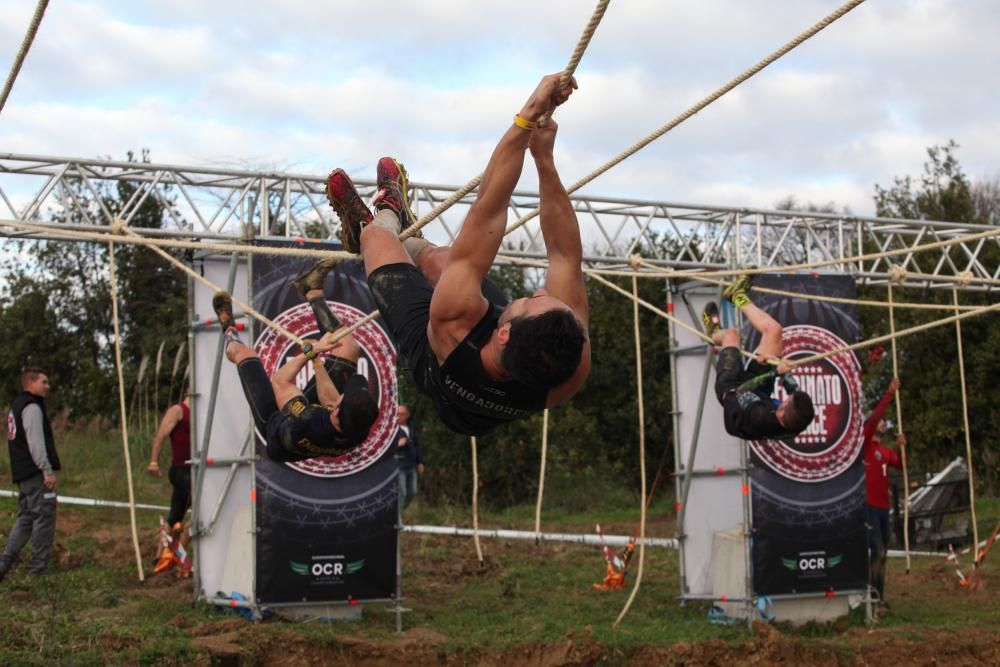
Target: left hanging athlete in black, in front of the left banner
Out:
[332,416]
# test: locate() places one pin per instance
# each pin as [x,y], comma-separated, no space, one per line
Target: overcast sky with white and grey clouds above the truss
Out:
[307,86]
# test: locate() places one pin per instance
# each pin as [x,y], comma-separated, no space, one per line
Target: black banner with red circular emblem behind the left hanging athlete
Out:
[326,526]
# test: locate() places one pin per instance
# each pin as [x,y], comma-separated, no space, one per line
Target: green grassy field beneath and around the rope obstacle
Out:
[528,605]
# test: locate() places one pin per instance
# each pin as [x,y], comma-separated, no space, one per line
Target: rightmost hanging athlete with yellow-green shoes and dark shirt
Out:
[749,410]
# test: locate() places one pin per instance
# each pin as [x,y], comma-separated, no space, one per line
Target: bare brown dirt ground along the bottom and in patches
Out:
[234,641]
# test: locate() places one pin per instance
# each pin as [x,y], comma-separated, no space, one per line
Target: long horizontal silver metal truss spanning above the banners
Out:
[216,203]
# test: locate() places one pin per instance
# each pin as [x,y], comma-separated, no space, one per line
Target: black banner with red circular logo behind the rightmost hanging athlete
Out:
[808,493]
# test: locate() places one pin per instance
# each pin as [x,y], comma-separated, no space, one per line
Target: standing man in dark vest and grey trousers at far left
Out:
[33,462]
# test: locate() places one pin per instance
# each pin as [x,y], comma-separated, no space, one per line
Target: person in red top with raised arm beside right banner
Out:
[878,460]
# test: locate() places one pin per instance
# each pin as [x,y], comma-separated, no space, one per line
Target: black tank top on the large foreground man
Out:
[470,401]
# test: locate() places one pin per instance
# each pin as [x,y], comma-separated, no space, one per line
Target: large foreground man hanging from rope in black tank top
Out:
[484,362]
